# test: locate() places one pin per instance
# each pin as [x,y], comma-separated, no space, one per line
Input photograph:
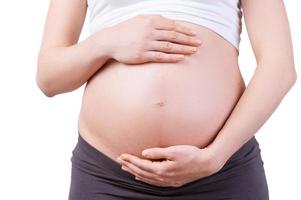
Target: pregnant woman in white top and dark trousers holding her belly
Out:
[165,112]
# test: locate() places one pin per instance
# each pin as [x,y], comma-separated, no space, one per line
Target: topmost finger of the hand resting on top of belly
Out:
[171,24]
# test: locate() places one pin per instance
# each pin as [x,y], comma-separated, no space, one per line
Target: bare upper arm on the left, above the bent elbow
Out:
[64,22]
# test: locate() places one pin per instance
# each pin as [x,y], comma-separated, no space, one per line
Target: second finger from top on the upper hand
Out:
[177,37]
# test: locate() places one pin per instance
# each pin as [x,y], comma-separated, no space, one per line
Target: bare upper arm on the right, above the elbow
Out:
[268,30]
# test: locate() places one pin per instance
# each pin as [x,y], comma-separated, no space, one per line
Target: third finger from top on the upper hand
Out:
[170,47]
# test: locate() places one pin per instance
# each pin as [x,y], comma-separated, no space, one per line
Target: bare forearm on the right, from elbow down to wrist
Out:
[263,94]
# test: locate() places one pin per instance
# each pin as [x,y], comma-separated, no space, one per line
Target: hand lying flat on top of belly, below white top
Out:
[149,38]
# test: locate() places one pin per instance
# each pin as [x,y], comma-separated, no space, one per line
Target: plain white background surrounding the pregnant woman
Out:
[38,133]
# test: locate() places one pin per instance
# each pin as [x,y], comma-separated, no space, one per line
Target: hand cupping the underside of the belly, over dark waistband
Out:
[181,164]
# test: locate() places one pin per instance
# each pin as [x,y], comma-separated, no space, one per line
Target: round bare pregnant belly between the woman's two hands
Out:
[128,108]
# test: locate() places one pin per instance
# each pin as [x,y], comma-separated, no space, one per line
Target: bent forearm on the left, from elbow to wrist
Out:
[63,69]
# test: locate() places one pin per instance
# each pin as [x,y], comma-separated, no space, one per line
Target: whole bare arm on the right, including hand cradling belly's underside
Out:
[275,74]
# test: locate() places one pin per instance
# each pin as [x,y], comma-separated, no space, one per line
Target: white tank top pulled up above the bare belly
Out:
[221,16]
